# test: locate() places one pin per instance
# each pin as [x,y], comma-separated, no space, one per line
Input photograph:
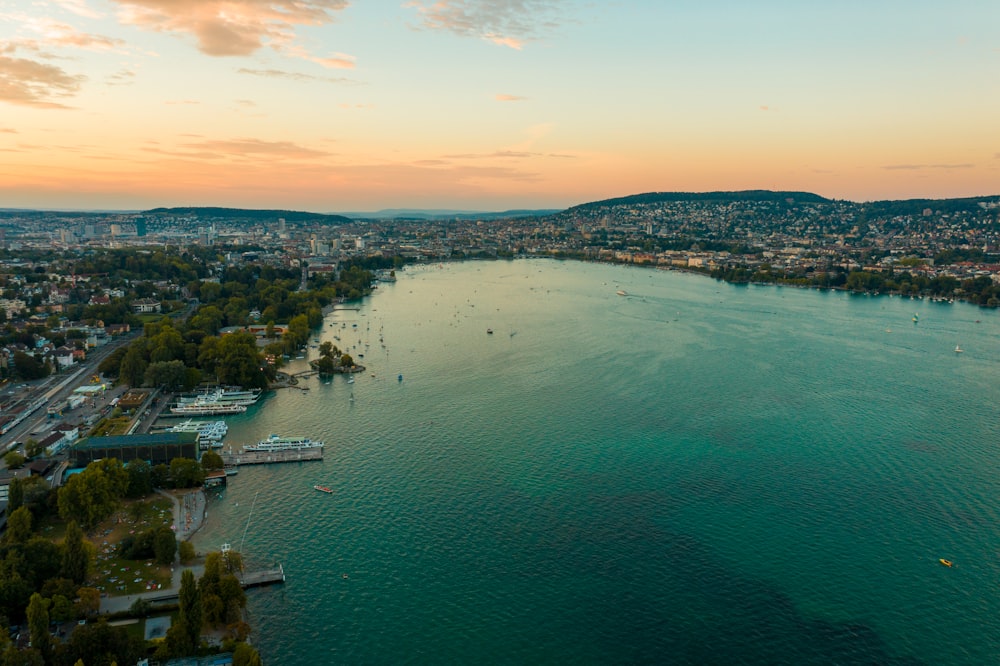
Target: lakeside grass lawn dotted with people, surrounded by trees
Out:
[116,576]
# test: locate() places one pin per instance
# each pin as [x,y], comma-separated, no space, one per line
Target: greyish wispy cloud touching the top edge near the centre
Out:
[510,23]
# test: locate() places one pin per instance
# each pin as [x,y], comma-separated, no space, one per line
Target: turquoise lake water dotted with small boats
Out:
[694,473]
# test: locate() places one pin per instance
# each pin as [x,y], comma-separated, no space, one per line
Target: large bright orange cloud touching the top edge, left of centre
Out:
[238,27]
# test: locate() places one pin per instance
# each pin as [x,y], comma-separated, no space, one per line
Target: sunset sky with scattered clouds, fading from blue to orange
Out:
[360,105]
